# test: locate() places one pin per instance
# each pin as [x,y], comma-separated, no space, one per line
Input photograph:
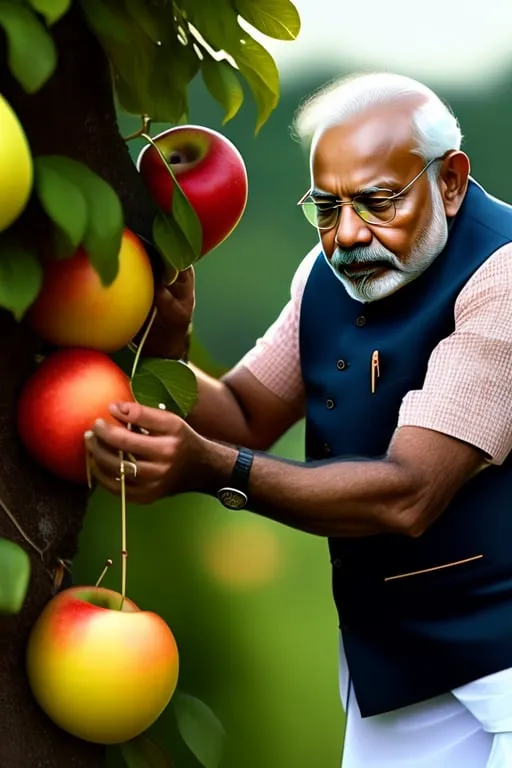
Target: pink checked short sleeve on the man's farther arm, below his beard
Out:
[275,358]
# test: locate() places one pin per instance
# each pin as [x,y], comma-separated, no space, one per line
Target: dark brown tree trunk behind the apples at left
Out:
[73,115]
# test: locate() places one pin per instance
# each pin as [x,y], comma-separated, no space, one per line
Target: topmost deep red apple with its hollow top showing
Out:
[209,169]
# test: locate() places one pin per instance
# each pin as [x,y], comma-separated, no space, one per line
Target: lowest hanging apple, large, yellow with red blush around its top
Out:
[101,673]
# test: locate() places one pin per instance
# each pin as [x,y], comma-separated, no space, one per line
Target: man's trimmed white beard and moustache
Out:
[372,272]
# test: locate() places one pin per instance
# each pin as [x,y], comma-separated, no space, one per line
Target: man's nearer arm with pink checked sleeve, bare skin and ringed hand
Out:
[435,450]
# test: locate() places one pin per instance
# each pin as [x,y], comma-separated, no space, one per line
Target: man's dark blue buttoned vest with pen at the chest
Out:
[411,638]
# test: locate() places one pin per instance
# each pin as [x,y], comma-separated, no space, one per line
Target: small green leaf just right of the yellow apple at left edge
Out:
[60,197]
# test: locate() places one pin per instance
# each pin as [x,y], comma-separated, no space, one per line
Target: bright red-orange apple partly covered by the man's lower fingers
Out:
[67,392]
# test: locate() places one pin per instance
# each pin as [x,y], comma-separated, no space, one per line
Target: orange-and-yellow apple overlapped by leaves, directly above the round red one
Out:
[74,308]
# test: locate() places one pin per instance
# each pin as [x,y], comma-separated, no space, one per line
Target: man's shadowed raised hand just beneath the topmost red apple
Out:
[175,306]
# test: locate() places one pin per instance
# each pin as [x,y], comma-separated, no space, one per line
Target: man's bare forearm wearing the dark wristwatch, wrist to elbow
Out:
[328,498]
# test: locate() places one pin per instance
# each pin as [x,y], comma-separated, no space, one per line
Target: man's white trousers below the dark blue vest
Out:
[470,727]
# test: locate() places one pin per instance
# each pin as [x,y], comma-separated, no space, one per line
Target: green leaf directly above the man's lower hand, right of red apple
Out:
[170,382]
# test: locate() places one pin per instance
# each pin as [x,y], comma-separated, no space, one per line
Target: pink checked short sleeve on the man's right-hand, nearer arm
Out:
[467,392]
